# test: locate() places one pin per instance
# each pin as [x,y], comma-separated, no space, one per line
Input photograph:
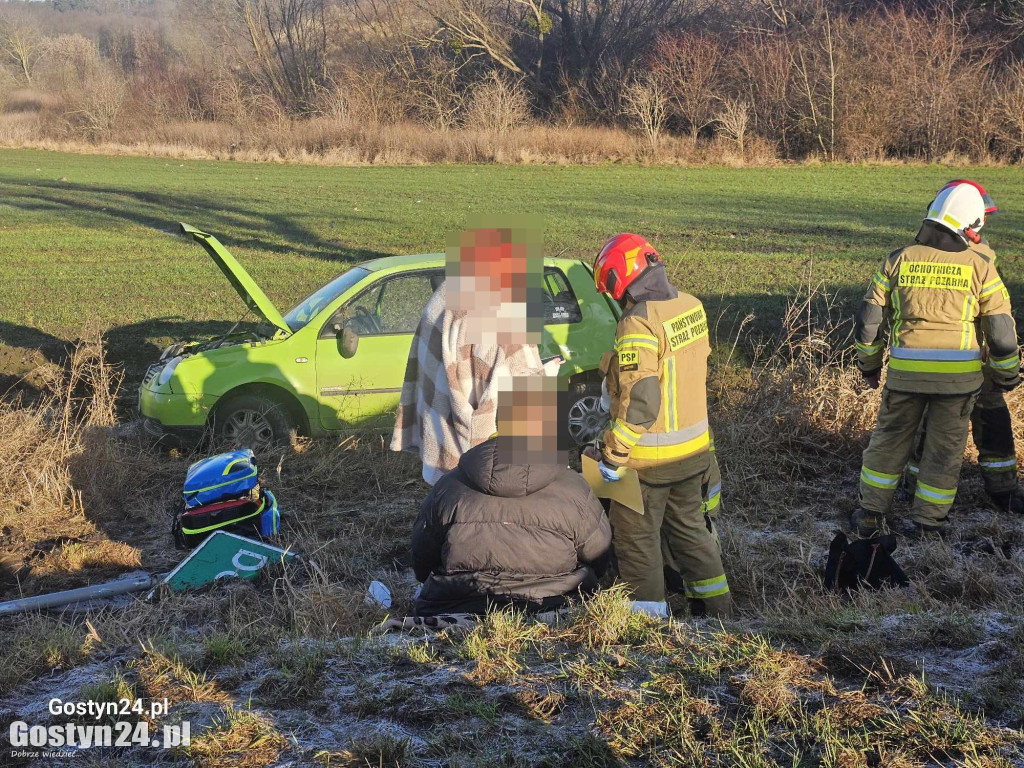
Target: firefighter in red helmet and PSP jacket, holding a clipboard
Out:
[657,382]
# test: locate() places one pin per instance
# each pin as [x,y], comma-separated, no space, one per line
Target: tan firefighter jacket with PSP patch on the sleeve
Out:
[658,388]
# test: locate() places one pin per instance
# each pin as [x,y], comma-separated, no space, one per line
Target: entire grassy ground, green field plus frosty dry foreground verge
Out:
[285,671]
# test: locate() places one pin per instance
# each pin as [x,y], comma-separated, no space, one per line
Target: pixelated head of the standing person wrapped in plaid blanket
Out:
[495,277]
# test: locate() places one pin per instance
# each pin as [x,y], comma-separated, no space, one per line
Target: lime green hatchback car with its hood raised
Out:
[336,362]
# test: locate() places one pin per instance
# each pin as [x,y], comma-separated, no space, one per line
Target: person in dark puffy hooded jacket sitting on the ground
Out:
[511,525]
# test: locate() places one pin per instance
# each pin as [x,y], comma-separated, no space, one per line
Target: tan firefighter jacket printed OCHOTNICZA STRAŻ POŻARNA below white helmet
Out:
[946,305]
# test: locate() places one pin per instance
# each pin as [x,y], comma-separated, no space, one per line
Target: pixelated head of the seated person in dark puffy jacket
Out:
[529,421]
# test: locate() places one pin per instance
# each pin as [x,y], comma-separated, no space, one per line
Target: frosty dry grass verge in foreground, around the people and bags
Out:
[800,678]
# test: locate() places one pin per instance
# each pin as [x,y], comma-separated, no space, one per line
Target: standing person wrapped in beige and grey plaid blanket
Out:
[471,339]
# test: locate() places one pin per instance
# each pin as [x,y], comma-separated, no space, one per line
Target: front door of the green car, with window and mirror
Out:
[364,391]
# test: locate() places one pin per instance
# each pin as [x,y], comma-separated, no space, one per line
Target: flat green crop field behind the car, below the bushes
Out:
[86,239]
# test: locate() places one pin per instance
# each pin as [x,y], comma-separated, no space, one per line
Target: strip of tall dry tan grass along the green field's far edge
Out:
[346,142]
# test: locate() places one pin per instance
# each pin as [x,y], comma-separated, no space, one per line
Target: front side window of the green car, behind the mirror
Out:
[393,306]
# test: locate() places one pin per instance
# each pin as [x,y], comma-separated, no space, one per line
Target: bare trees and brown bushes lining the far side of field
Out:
[791,79]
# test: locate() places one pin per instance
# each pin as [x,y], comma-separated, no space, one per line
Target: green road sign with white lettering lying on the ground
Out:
[222,557]
